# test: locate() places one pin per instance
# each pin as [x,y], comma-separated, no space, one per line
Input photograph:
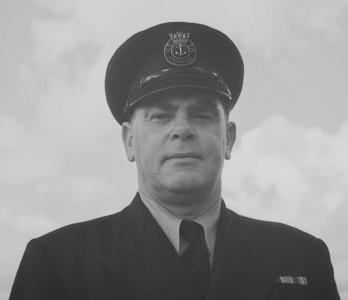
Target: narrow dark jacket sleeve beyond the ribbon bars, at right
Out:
[322,283]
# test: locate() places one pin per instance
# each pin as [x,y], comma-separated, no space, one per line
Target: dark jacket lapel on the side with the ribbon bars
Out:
[241,269]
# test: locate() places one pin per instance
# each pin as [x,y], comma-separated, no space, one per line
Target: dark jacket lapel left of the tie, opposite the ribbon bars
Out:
[144,263]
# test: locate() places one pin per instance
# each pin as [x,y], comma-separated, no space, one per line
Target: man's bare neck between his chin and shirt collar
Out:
[184,205]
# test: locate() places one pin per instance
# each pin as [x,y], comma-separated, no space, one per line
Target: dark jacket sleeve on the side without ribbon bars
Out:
[35,278]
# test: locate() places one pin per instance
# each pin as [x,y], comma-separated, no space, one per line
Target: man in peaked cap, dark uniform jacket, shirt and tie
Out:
[171,87]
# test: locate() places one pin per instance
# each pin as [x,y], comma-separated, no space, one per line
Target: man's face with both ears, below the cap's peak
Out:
[179,142]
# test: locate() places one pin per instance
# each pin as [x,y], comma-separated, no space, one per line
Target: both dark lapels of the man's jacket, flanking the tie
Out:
[142,260]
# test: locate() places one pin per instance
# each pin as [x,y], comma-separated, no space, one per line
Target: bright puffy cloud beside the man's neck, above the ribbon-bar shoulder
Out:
[289,166]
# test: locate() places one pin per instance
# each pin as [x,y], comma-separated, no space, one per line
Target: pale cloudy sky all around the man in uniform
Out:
[61,156]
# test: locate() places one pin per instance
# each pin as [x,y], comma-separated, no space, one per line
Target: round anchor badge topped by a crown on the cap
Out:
[180,50]
